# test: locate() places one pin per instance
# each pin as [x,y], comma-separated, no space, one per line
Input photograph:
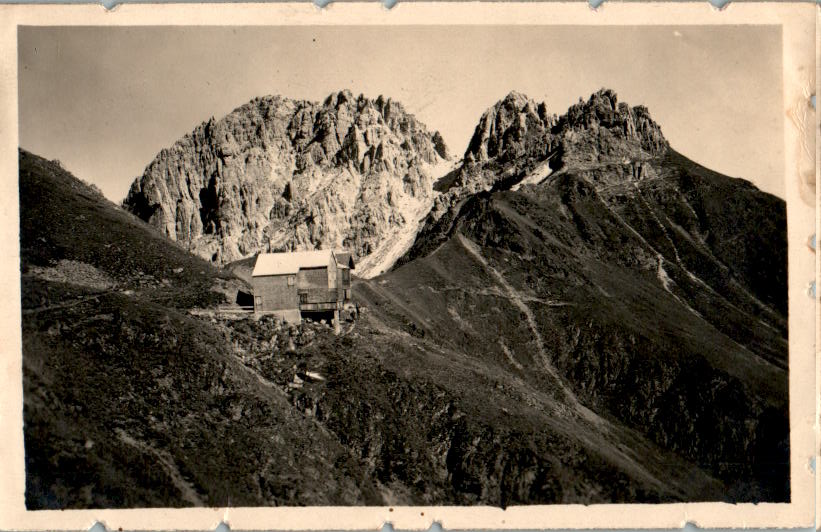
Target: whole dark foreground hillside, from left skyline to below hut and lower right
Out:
[131,402]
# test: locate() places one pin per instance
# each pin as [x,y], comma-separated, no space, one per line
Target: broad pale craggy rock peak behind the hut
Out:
[280,174]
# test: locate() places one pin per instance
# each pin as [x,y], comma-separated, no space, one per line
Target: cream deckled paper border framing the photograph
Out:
[798,76]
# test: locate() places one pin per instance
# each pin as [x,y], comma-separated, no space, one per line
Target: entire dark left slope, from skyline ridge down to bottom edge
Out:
[131,402]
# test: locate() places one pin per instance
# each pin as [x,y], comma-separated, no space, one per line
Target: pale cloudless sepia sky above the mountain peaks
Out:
[105,101]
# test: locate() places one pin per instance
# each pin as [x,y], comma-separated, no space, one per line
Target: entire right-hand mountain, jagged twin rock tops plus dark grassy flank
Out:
[655,288]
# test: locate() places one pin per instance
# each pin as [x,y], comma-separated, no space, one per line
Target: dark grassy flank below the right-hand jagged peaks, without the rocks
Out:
[685,366]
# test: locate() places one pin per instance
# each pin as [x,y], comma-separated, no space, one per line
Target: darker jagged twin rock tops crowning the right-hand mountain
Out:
[518,140]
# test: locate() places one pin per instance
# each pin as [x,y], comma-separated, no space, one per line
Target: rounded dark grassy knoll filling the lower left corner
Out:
[130,404]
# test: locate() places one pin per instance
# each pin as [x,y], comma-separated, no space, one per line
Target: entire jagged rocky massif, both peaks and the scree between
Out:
[359,173]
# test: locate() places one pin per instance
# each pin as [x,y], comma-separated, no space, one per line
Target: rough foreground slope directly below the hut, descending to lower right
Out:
[436,425]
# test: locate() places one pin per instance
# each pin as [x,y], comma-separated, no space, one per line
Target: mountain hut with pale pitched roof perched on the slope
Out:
[298,284]
